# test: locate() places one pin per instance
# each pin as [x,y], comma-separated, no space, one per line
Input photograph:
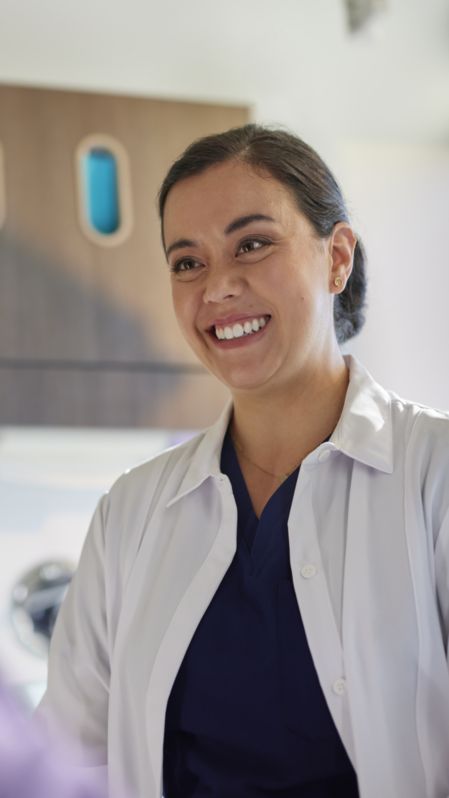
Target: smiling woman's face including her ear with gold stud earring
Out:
[252,283]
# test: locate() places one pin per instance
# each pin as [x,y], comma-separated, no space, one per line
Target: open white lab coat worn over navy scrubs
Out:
[369,552]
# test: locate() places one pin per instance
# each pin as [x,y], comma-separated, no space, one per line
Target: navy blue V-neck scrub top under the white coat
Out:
[246,716]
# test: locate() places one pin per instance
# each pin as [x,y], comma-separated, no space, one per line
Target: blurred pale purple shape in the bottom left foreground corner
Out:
[31,764]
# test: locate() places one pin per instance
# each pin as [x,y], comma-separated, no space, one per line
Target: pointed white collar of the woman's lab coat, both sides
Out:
[363,432]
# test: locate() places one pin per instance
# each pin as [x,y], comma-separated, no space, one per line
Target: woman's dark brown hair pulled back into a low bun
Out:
[298,167]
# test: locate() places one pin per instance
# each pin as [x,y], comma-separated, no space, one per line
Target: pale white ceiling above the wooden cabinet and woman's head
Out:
[294,61]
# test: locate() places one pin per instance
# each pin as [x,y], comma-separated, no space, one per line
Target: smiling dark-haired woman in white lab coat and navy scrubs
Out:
[265,609]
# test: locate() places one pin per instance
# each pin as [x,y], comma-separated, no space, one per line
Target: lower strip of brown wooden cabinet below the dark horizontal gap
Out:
[108,397]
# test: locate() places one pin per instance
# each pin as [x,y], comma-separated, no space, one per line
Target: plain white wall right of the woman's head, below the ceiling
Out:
[400,197]
